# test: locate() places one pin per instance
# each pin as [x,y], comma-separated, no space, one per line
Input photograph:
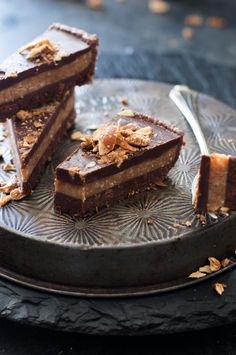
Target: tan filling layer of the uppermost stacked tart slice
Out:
[41,80]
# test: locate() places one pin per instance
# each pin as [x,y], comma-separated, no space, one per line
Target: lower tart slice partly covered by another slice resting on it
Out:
[34,135]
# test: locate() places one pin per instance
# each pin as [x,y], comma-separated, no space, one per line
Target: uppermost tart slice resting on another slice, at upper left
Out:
[39,72]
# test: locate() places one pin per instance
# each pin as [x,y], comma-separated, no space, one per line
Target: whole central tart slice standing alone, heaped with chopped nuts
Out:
[123,156]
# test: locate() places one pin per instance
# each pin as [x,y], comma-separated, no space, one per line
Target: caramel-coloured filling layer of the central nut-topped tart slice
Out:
[82,192]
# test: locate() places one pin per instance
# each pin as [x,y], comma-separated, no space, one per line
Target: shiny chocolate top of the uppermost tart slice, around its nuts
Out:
[68,40]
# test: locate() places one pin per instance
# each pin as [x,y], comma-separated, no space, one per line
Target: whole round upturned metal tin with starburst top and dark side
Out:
[141,245]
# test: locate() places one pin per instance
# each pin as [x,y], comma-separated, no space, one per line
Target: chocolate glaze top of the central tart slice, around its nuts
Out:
[164,137]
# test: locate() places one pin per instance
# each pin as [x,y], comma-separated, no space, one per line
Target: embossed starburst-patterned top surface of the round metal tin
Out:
[127,223]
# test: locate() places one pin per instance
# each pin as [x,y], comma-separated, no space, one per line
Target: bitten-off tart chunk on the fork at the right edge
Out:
[216,186]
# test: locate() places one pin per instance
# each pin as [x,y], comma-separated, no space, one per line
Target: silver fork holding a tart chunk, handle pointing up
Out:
[182,96]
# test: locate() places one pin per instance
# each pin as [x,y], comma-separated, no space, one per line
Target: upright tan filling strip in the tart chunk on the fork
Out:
[217,181]
